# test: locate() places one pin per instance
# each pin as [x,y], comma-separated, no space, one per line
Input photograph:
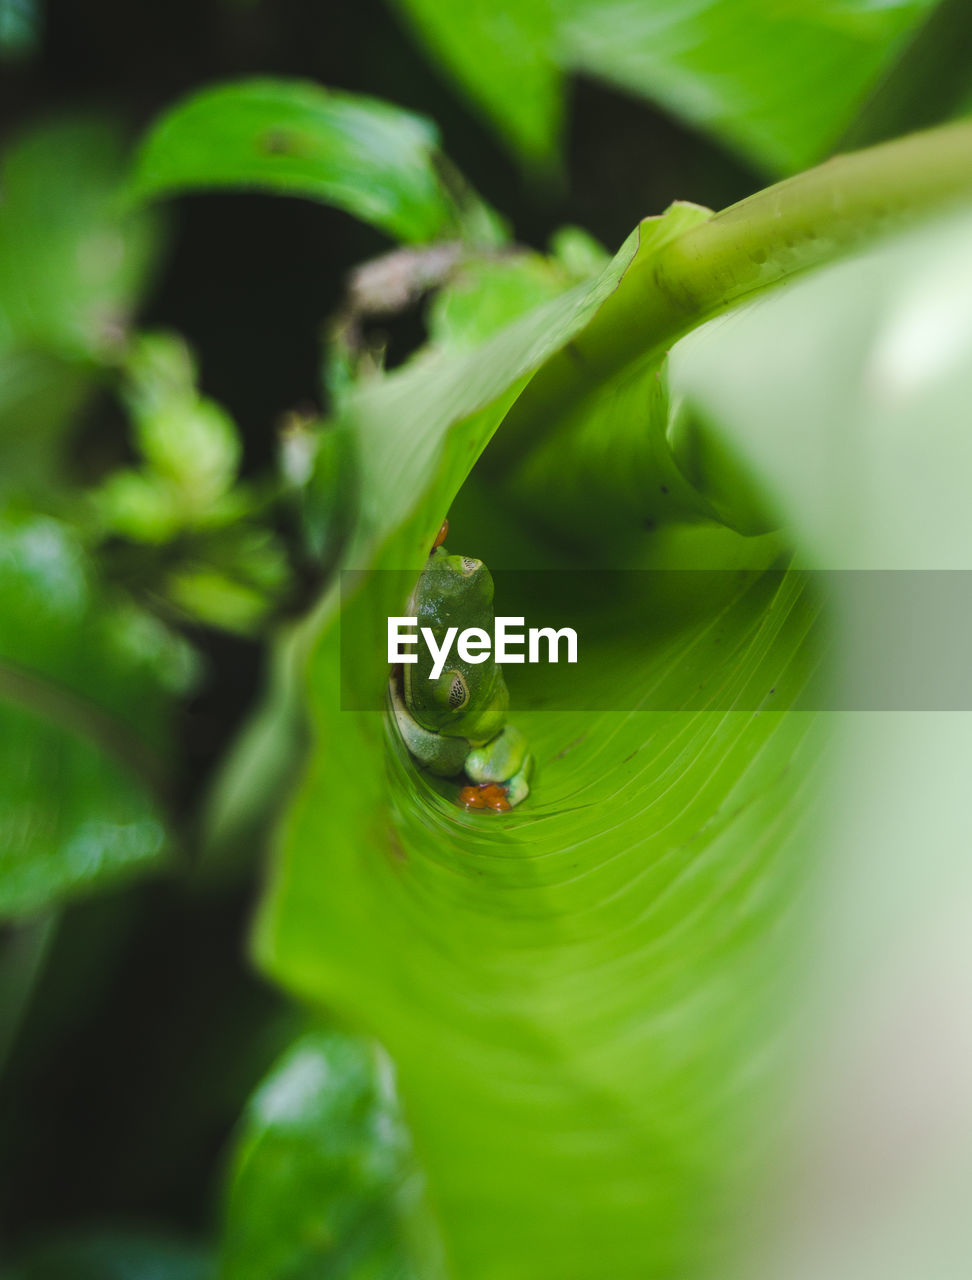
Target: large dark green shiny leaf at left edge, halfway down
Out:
[85,688]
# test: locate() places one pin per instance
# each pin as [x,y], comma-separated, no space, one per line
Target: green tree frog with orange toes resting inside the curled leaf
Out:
[458,723]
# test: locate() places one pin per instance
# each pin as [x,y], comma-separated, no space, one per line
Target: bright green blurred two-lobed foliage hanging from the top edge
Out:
[778,83]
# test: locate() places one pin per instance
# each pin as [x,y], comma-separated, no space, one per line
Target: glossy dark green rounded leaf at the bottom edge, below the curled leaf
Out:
[321,1173]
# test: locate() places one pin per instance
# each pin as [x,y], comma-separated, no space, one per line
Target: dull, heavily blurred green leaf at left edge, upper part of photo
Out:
[72,267]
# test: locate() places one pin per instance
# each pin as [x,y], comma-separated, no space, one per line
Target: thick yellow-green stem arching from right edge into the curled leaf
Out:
[805,222]
